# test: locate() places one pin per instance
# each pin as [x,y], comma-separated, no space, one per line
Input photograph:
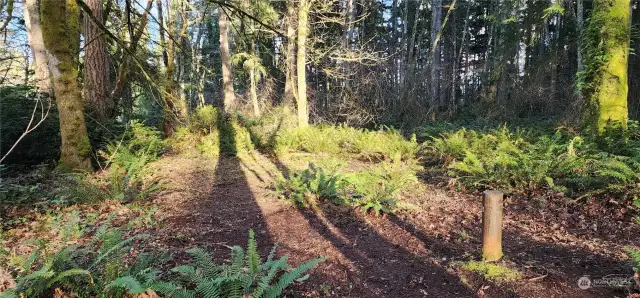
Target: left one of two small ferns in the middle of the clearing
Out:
[312,184]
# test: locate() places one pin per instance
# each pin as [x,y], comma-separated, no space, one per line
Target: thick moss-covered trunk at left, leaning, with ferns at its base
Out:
[61,32]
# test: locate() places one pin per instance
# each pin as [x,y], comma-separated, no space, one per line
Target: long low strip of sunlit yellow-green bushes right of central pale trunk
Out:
[383,144]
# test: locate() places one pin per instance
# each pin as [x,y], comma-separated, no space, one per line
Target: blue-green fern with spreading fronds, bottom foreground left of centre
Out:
[246,276]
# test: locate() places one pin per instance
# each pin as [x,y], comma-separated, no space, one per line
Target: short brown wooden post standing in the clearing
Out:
[492,226]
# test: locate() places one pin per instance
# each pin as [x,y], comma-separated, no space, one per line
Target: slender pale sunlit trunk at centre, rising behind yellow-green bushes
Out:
[303,111]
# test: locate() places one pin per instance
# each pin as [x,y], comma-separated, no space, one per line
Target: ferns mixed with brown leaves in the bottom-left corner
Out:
[96,269]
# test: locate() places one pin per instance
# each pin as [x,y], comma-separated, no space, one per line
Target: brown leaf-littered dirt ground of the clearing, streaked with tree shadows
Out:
[419,251]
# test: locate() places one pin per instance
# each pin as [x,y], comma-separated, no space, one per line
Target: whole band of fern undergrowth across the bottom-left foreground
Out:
[105,267]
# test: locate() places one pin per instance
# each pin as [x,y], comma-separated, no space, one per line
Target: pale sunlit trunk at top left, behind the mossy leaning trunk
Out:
[36,42]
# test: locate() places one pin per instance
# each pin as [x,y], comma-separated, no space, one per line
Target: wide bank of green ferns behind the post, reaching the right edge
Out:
[520,161]
